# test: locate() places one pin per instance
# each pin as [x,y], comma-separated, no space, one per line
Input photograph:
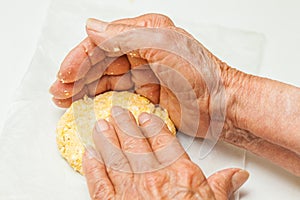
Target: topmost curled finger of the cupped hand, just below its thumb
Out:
[79,60]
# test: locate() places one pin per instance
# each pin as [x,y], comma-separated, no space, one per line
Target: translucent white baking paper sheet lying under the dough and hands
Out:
[30,164]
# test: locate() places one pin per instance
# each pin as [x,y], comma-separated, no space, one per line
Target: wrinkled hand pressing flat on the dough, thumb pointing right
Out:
[134,162]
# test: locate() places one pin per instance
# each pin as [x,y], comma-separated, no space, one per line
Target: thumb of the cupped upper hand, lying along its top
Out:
[118,39]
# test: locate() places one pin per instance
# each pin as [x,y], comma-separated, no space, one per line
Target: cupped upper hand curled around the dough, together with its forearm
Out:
[204,96]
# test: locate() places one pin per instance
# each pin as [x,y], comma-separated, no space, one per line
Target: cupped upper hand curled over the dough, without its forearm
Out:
[109,59]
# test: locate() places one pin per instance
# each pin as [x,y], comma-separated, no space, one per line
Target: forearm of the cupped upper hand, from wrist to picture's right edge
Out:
[263,116]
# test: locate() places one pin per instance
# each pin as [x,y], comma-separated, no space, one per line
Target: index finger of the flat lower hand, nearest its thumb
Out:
[164,145]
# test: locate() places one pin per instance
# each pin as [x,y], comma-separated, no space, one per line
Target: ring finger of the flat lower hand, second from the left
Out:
[107,144]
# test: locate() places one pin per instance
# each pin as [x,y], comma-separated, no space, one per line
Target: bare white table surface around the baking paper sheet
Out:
[278,20]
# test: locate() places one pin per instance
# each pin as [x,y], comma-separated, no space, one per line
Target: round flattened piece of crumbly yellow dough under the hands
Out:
[75,127]
